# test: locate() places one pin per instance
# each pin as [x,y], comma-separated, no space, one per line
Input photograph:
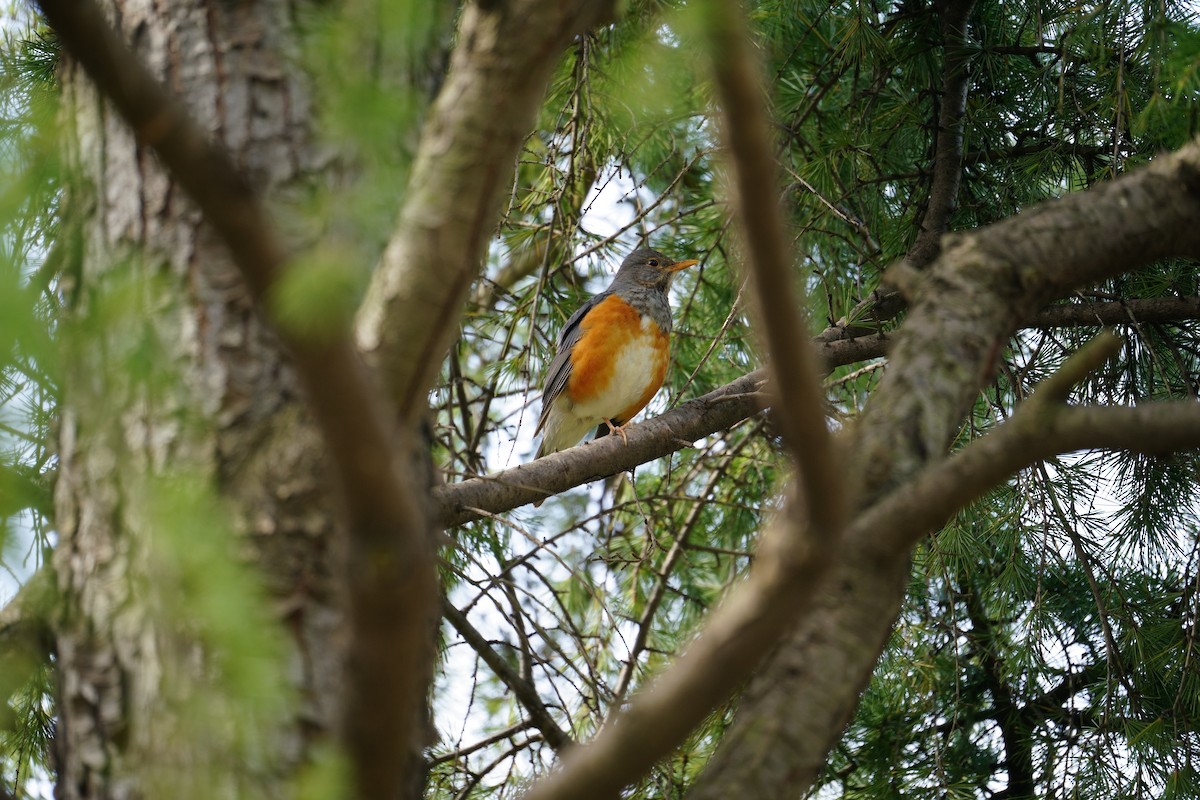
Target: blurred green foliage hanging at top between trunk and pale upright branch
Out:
[376,65]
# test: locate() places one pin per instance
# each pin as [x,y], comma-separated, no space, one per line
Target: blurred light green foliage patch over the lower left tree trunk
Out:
[196,592]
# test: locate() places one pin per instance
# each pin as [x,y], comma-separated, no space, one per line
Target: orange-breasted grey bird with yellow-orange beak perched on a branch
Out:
[613,354]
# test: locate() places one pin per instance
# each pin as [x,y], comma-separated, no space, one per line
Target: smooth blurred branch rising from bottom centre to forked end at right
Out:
[758,612]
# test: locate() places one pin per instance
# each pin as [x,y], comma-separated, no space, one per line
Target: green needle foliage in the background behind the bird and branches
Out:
[1040,594]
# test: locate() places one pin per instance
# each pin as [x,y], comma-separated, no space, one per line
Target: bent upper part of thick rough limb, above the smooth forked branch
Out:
[971,300]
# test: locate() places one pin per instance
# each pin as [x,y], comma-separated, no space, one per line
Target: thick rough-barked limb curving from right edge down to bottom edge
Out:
[964,309]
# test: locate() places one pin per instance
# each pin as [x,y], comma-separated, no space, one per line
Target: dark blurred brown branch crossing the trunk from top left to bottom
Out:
[391,570]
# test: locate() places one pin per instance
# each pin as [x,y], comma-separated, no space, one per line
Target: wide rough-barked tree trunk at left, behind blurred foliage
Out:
[151,464]
